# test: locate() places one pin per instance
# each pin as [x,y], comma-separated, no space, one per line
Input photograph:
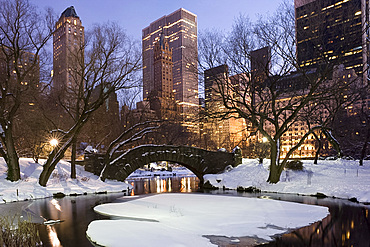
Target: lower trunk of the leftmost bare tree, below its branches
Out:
[12,160]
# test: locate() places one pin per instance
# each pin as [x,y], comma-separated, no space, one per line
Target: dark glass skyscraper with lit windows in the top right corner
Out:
[332,31]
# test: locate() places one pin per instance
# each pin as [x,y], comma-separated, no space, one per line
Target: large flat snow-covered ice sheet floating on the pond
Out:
[184,219]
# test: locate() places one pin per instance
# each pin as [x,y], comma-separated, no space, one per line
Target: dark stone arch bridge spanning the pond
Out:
[197,160]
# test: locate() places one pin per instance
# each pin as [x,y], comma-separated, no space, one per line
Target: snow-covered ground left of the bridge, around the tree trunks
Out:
[60,181]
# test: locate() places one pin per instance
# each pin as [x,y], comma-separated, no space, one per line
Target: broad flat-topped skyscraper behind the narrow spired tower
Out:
[180,29]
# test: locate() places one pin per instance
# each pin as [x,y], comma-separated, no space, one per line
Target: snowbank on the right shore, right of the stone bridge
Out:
[334,178]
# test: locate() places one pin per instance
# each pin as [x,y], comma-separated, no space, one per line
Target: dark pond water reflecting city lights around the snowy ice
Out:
[347,225]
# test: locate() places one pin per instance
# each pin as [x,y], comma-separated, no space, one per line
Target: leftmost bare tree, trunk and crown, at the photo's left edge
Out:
[23,34]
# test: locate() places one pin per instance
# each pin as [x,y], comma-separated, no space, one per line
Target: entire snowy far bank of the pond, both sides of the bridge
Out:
[334,178]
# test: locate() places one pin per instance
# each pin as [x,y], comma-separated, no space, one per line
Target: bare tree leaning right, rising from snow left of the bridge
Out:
[109,63]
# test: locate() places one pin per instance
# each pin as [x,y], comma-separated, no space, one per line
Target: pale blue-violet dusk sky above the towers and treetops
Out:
[134,15]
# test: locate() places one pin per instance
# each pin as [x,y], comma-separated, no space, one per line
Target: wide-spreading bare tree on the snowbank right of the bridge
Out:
[274,90]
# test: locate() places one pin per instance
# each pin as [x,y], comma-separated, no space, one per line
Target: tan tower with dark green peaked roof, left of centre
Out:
[67,40]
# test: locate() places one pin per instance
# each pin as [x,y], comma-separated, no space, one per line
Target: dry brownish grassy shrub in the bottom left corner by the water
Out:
[16,232]
